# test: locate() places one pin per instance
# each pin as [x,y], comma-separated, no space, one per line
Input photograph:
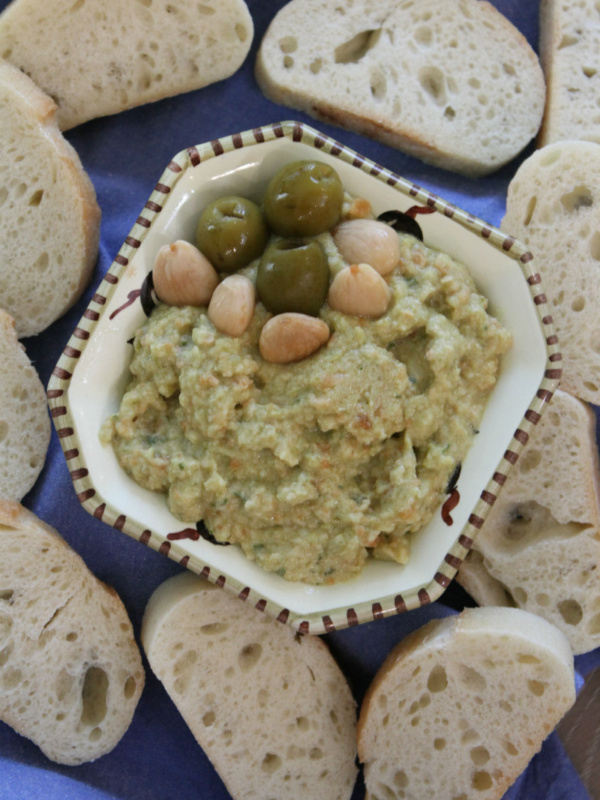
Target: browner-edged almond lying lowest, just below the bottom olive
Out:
[291,337]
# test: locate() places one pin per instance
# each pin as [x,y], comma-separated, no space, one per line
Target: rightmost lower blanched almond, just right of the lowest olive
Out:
[359,290]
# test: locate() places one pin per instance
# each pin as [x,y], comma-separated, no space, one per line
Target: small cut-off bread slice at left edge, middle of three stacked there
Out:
[24,420]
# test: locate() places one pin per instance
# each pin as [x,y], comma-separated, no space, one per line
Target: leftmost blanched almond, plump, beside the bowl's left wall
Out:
[182,276]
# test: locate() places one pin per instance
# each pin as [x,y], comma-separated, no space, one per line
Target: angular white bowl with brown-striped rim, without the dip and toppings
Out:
[89,379]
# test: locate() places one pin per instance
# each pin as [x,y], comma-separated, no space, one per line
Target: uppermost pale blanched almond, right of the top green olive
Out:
[368,241]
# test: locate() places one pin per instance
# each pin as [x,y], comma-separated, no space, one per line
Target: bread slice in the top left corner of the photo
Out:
[96,60]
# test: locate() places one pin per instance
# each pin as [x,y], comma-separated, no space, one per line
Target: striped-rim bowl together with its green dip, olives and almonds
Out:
[319,434]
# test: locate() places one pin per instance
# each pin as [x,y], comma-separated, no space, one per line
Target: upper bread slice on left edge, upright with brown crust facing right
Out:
[49,218]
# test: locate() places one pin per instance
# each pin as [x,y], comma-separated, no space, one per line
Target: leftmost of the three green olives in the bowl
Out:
[231,232]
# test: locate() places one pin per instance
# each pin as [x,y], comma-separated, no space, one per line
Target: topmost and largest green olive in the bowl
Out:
[304,199]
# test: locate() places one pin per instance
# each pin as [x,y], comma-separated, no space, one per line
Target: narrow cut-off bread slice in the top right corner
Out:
[570,56]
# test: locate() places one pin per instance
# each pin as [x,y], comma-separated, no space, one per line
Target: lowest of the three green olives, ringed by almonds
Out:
[293,275]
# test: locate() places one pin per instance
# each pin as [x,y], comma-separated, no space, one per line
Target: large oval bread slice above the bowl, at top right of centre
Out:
[452,82]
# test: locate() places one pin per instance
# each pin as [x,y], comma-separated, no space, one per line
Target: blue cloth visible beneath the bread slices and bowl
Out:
[124,155]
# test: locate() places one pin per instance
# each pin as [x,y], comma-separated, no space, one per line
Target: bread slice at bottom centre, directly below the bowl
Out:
[270,708]
